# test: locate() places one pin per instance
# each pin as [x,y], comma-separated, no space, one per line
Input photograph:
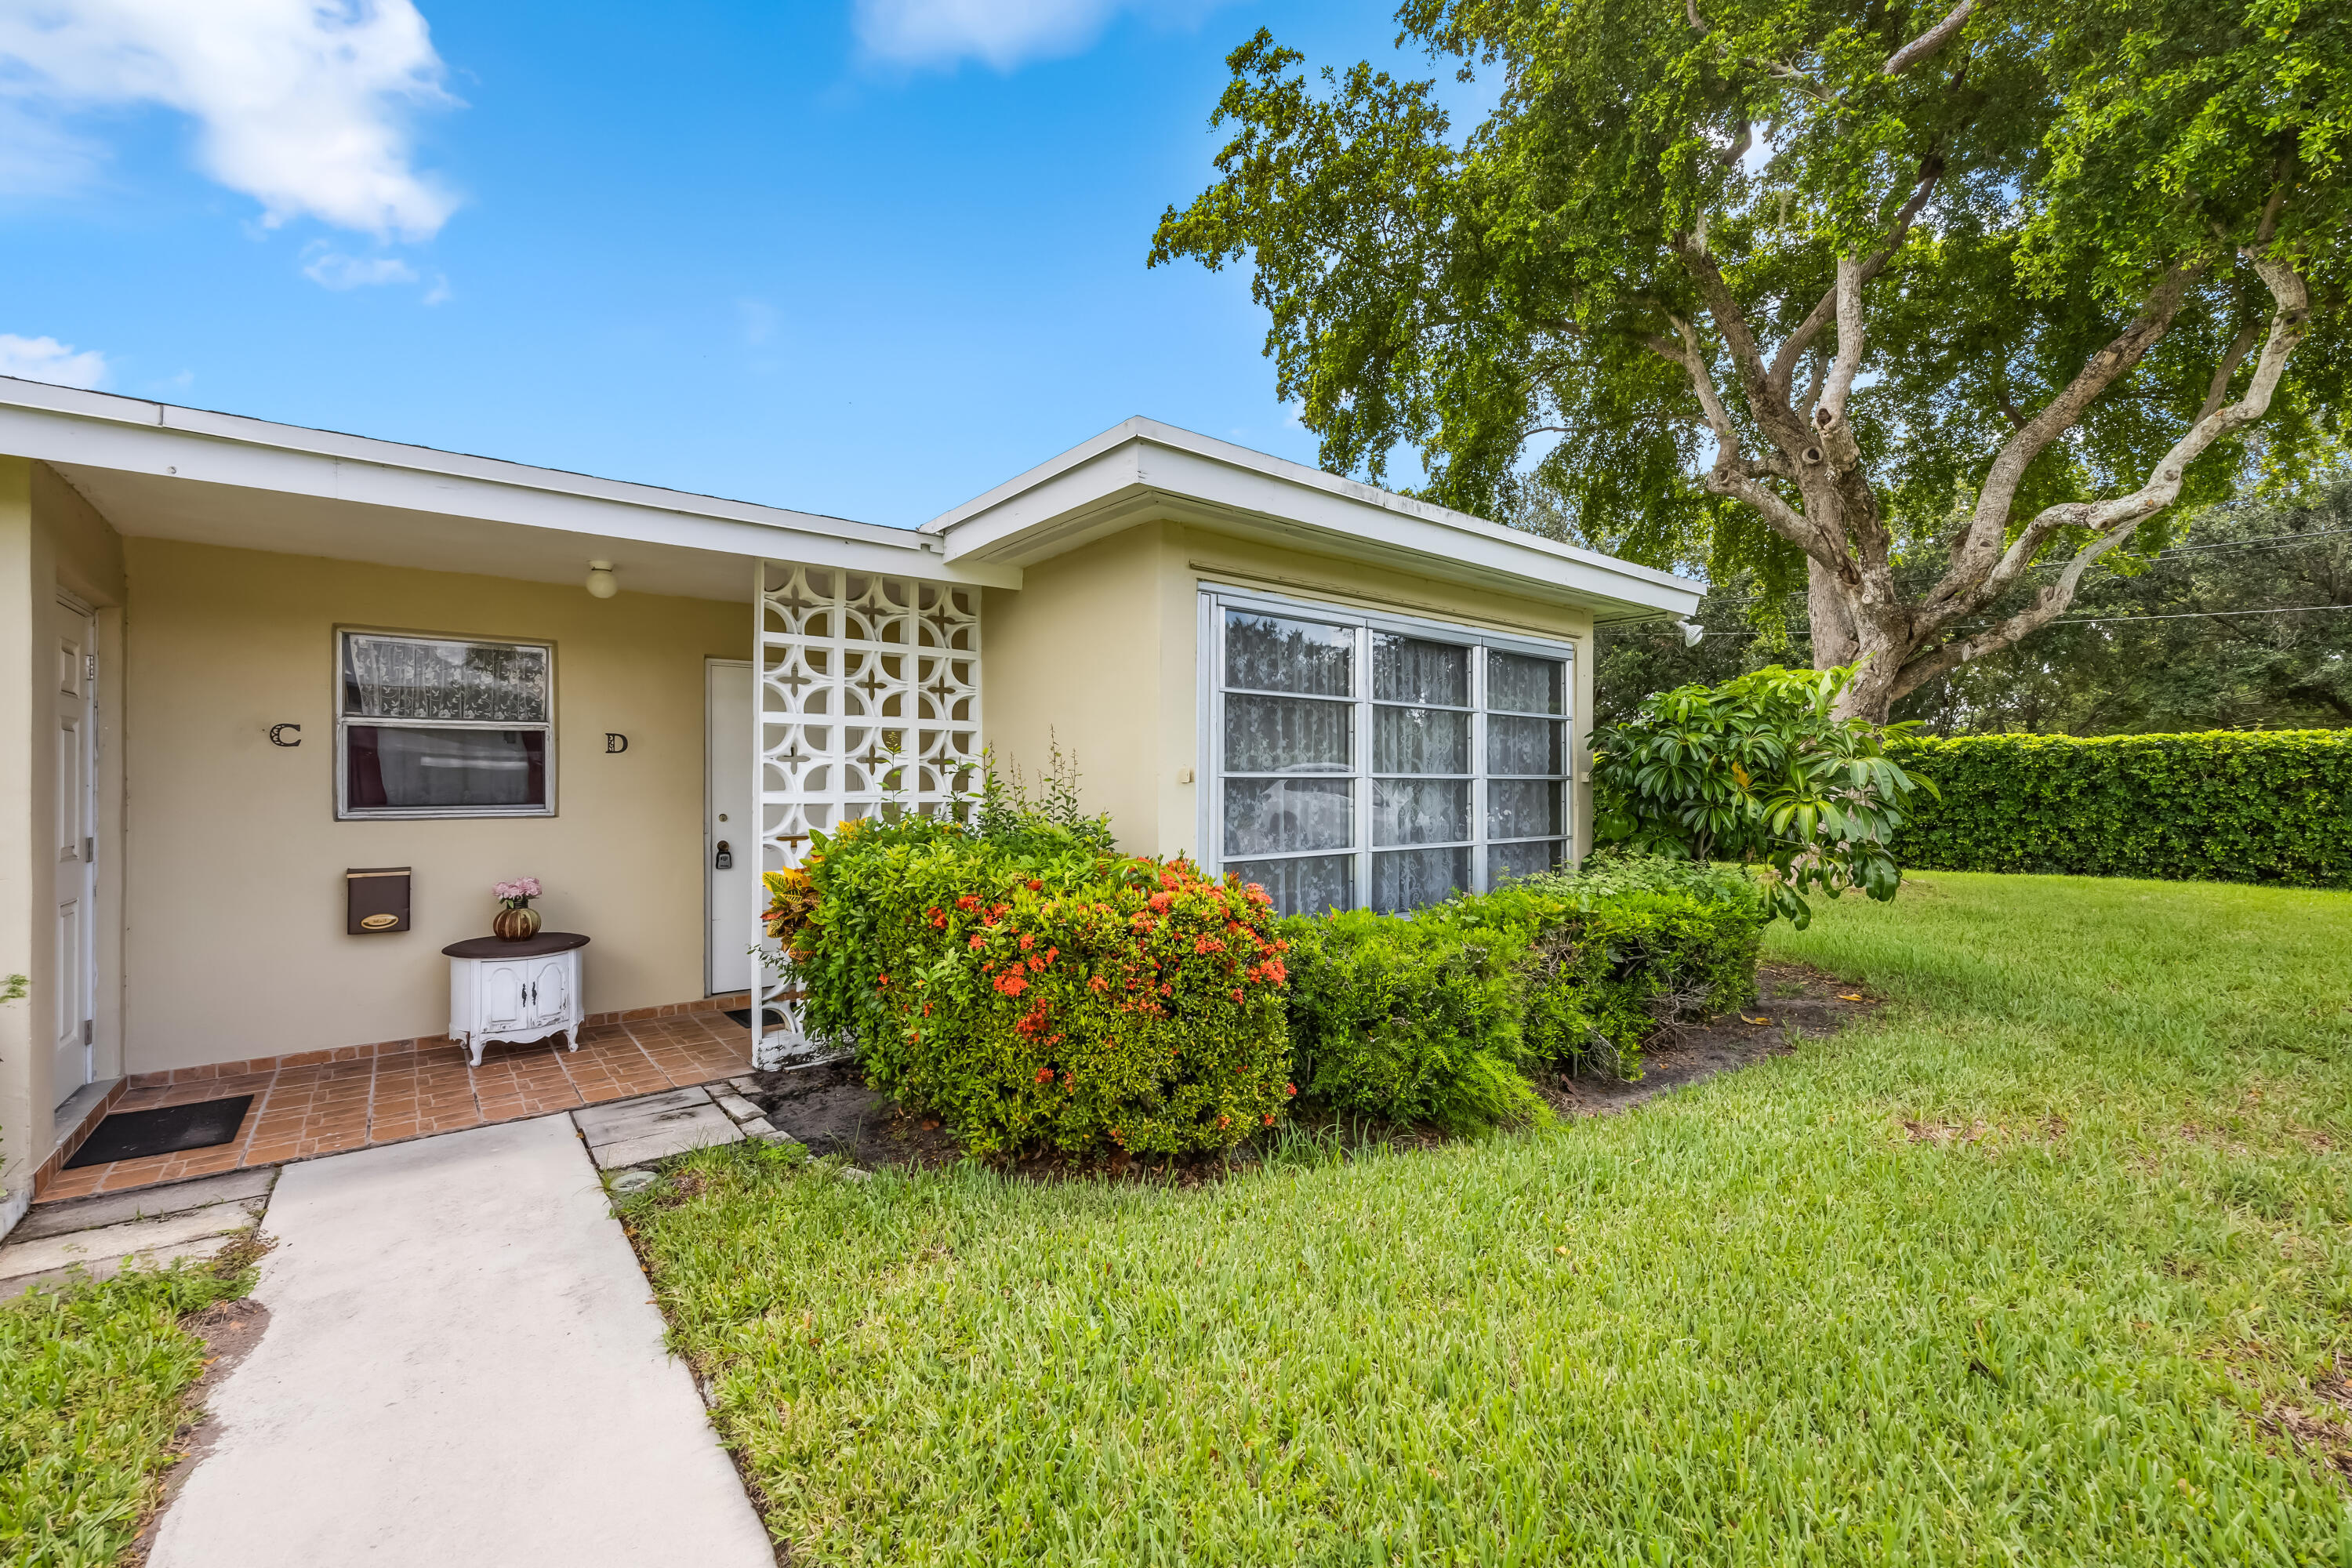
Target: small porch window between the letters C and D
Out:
[443,728]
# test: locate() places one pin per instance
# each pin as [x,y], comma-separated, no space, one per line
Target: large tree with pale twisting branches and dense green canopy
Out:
[1815,288]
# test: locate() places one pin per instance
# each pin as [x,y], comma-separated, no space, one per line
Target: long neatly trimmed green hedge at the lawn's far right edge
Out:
[2210,808]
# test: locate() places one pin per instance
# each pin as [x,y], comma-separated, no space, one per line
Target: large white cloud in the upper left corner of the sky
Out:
[302,105]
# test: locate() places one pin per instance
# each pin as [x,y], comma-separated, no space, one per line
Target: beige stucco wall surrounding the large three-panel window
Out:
[1104,648]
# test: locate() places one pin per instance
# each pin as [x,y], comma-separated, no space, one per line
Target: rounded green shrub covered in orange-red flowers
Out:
[1041,993]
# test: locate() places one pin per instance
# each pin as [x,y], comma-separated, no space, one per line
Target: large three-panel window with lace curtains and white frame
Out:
[1379,763]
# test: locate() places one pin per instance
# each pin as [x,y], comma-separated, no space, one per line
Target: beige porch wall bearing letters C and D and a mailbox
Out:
[236,862]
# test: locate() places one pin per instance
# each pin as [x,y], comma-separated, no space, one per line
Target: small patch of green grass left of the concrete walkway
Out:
[91,1398]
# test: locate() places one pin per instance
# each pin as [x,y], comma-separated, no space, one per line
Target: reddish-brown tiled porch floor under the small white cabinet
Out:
[347,1106]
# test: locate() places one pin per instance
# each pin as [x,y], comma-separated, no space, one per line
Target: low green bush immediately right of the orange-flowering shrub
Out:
[1408,1019]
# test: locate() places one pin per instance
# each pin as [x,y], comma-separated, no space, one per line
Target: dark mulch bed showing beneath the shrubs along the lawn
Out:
[831,1111]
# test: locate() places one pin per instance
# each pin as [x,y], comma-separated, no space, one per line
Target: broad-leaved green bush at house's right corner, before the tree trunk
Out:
[1758,770]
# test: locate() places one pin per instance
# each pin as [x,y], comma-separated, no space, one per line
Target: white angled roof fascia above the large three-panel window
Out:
[1102,485]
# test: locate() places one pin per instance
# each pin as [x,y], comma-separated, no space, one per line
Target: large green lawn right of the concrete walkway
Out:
[2026,1271]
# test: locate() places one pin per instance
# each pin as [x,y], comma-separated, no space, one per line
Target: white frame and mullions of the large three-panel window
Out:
[1217,598]
